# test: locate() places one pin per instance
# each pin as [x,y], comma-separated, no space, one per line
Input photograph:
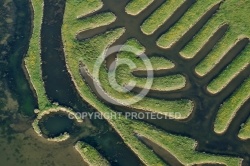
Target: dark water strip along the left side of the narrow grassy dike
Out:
[15,76]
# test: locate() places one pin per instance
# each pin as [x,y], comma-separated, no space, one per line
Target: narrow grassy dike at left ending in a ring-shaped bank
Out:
[33,67]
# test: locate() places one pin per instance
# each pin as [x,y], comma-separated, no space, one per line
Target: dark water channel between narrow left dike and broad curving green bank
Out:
[59,86]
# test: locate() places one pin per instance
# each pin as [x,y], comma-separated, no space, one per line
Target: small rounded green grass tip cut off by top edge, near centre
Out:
[134,7]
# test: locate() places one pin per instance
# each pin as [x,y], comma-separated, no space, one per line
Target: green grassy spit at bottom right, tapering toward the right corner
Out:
[176,145]
